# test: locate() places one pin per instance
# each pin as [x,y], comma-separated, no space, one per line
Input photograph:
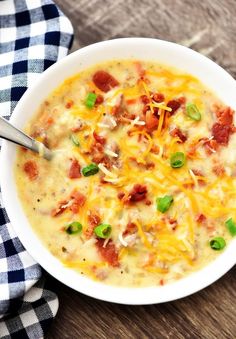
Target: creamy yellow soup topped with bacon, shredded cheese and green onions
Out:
[141,187]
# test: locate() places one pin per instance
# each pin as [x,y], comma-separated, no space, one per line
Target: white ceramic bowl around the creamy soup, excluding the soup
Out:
[206,70]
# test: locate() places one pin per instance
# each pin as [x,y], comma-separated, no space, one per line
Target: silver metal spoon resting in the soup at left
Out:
[13,134]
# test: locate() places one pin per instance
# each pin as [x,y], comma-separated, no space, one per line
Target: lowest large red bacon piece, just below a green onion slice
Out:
[108,253]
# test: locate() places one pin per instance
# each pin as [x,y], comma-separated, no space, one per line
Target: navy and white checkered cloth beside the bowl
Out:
[33,35]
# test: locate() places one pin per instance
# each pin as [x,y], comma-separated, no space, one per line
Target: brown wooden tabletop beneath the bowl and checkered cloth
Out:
[209,27]
